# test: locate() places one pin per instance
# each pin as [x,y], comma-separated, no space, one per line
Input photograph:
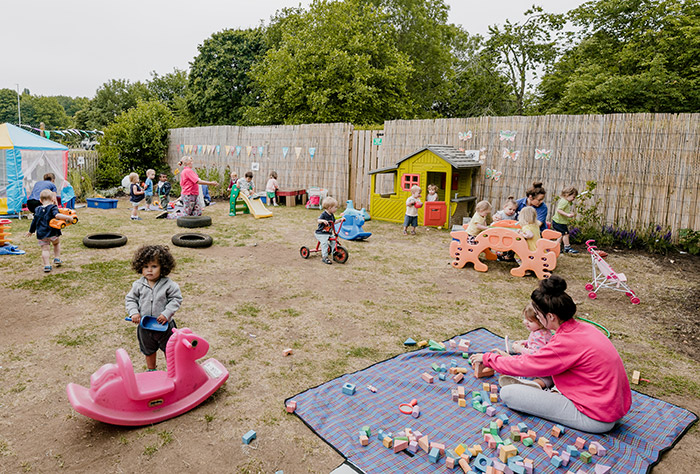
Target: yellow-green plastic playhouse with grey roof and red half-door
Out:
[450,169]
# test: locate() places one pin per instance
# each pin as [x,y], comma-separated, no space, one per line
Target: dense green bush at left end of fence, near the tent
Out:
[136,141]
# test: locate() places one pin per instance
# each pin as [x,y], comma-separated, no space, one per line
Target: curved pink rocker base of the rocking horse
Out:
[83,402]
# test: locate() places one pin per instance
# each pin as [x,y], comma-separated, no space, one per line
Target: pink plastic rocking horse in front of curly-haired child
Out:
[119,396]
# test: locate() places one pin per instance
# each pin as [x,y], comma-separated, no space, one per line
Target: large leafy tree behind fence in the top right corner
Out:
[630,56]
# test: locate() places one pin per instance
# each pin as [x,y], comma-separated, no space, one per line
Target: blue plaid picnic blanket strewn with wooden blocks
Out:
[651,427]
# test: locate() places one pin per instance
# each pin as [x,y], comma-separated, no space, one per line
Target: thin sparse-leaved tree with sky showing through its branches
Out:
[525,48]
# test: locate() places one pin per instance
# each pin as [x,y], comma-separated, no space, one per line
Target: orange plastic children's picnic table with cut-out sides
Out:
[501,237]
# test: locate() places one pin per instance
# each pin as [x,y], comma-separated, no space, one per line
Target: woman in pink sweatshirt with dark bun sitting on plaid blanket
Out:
[594,392]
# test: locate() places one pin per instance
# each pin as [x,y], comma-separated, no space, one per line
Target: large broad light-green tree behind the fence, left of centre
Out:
[340,64]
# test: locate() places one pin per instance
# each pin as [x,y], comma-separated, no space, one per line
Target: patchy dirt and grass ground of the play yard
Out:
[251,295]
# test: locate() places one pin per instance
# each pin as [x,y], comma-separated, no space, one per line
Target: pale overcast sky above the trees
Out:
[72,47]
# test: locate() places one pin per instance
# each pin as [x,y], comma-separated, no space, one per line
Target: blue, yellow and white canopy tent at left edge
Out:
[24,159]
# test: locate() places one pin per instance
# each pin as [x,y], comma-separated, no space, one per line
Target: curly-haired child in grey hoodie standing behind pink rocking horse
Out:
[153,294]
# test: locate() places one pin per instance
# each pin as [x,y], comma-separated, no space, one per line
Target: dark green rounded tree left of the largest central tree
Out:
[219,85]
